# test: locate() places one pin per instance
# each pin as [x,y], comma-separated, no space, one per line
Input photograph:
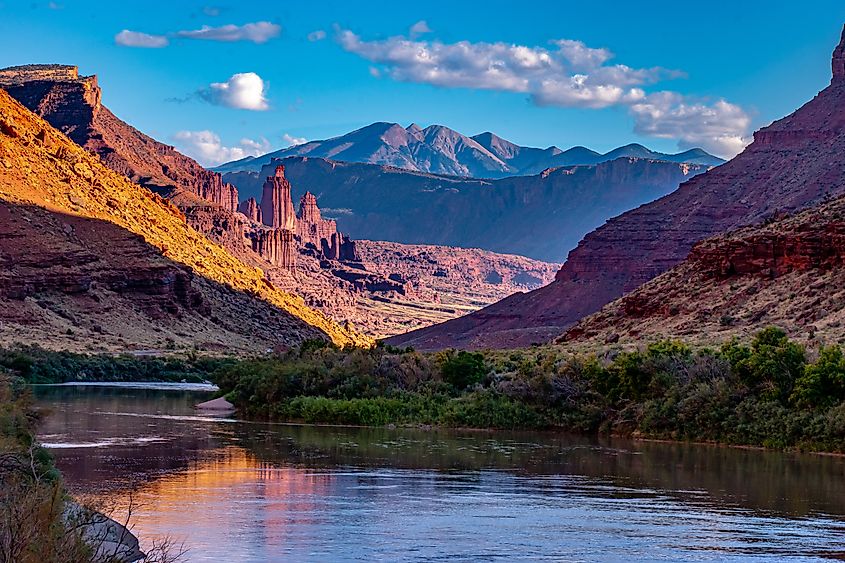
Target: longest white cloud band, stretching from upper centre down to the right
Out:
[567,74]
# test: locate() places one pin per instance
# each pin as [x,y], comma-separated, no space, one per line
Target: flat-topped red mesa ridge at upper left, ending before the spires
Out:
[73,104]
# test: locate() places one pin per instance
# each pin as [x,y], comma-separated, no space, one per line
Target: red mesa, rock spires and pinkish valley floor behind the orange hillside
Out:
[392,292]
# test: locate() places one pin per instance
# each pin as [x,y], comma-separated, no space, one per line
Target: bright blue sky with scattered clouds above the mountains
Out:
[695,73]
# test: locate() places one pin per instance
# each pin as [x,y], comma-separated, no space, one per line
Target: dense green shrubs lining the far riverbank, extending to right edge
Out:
[772,393]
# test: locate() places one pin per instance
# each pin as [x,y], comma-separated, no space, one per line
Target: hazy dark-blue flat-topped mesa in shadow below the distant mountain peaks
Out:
[541,216]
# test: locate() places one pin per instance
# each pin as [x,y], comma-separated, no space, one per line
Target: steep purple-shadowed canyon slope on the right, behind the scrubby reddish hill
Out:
[792,164]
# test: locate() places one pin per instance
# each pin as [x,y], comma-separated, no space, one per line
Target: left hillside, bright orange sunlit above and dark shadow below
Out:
[89,257]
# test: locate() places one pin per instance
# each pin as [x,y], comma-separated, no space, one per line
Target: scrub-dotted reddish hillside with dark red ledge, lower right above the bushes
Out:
[789,273]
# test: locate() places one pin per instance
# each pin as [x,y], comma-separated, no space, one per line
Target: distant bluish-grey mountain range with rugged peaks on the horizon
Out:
[440,150]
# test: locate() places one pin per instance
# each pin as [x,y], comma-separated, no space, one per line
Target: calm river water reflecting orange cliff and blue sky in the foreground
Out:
[235,491]
